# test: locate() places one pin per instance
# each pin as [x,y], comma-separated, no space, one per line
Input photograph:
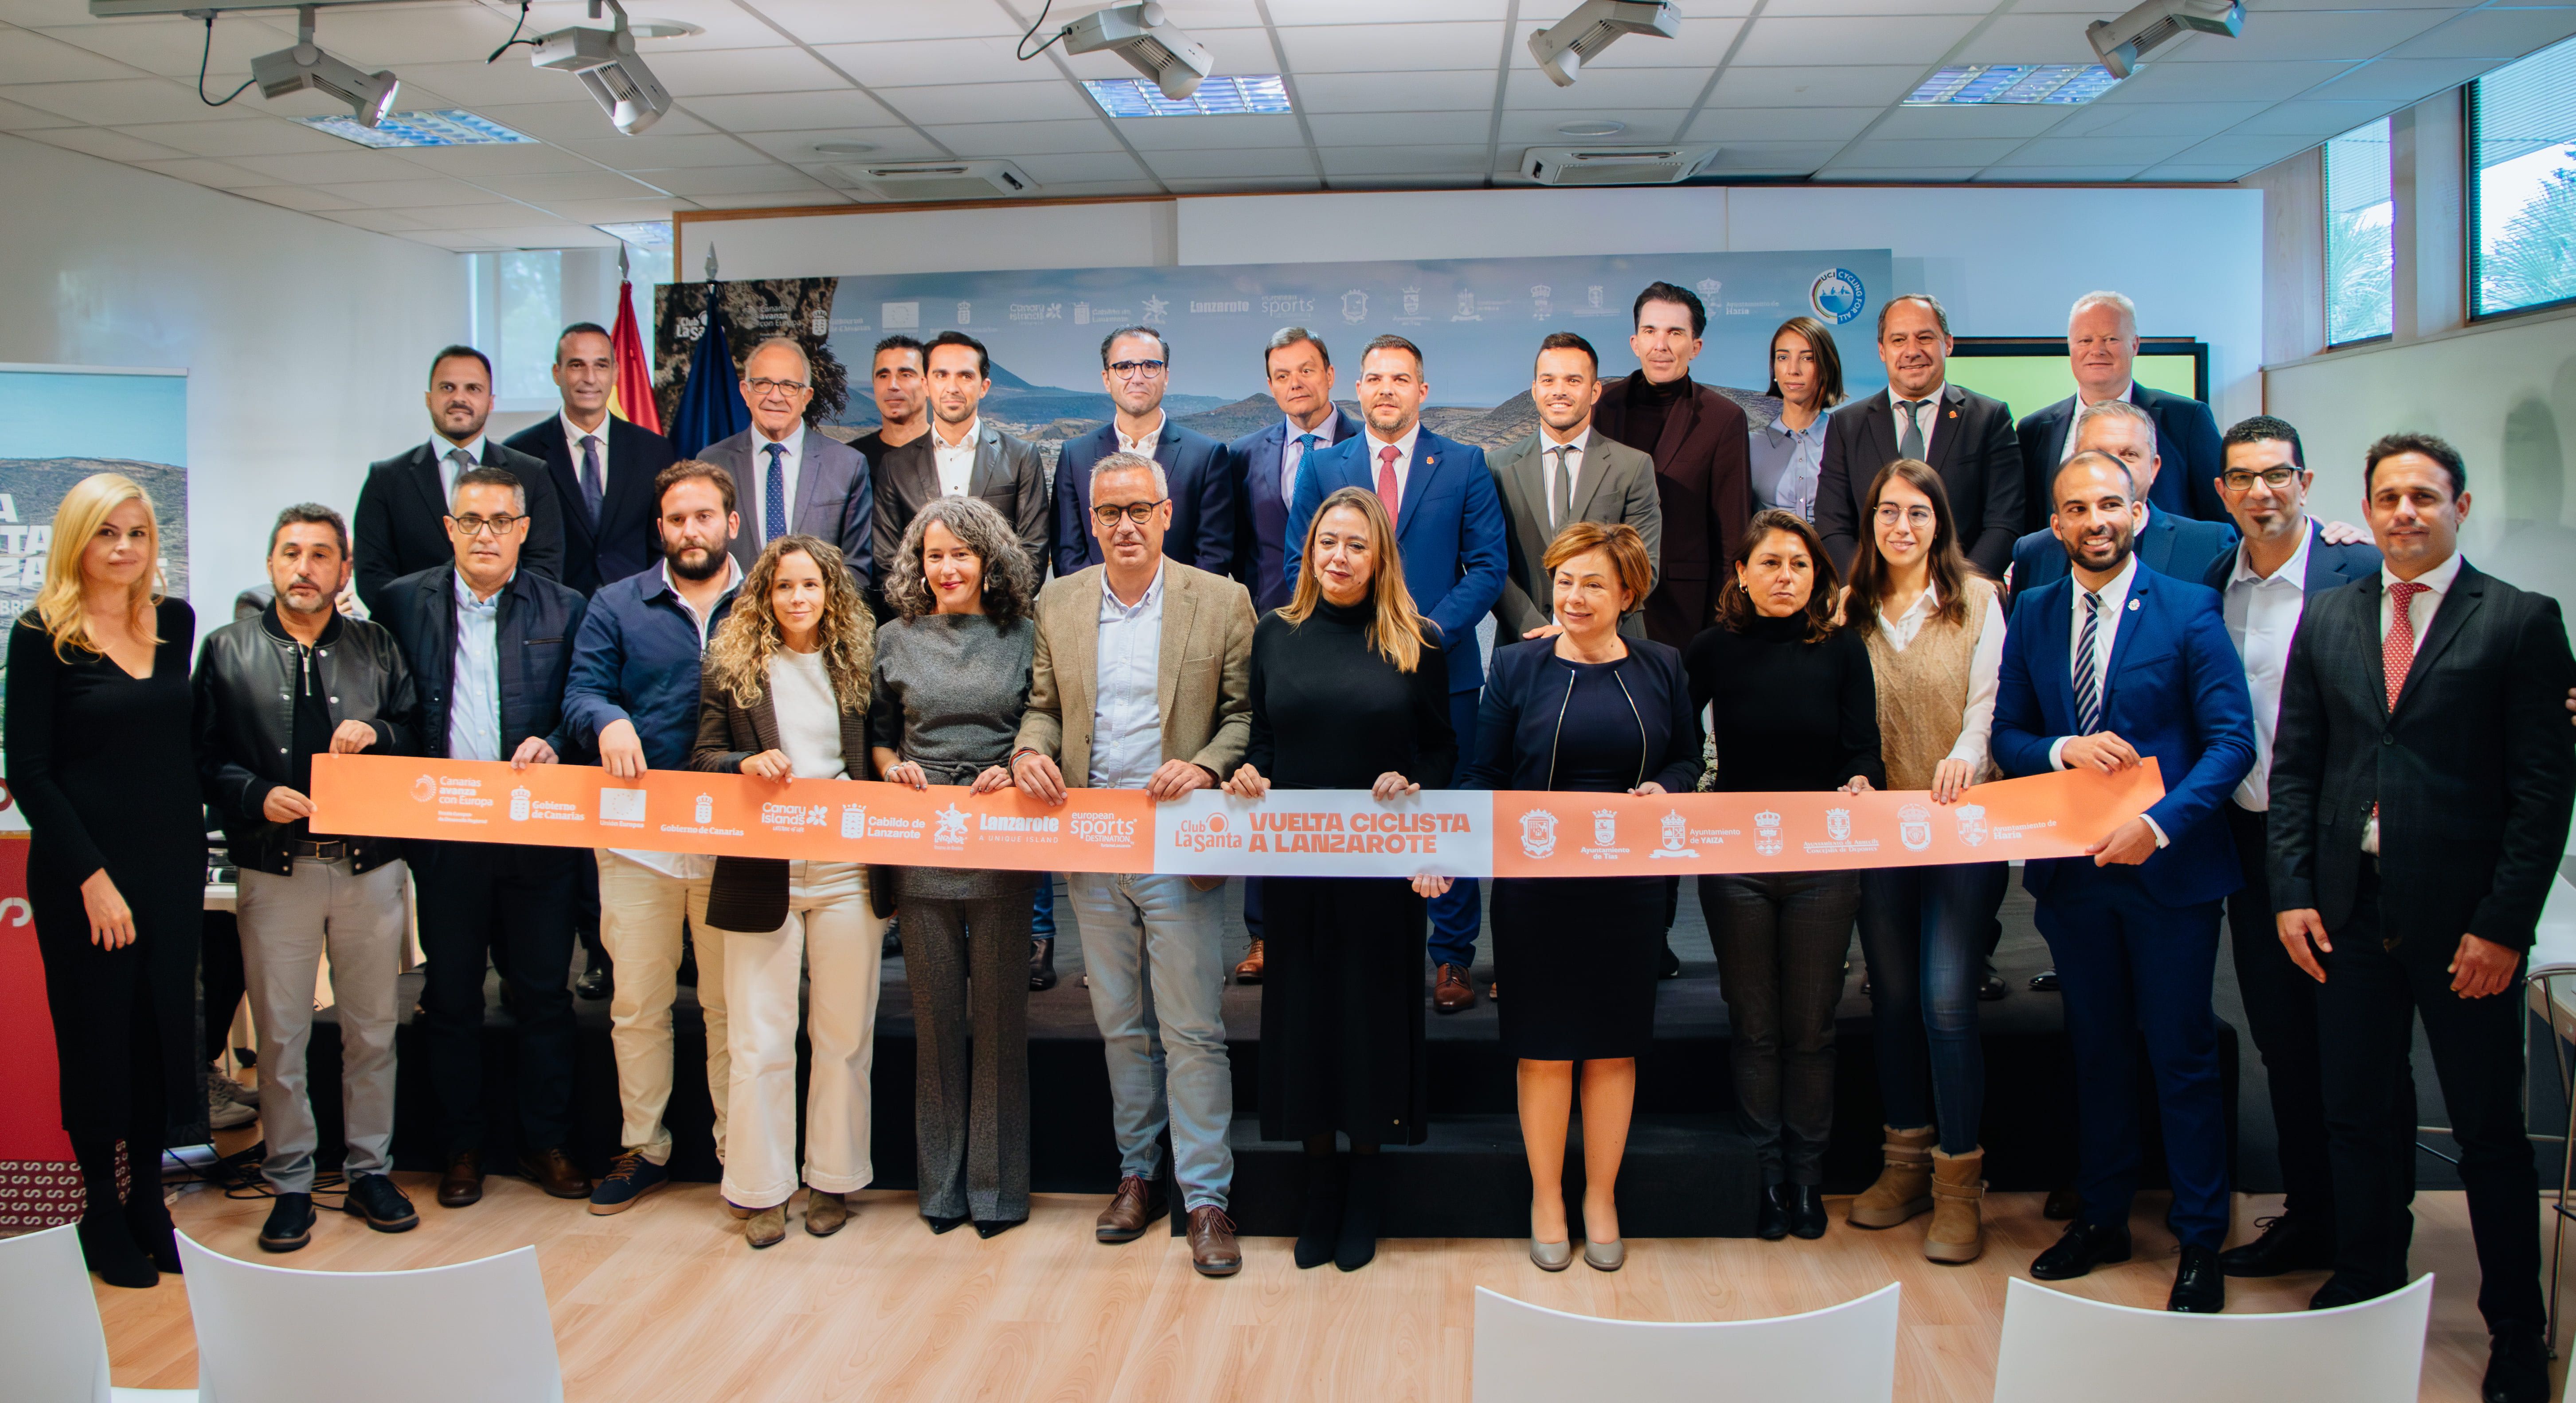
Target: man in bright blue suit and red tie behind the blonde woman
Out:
[1454,544]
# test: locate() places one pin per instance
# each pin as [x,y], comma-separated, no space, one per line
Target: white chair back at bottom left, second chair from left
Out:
[274,1335]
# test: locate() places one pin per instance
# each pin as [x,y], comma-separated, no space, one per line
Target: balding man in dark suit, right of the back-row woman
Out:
[1920,416]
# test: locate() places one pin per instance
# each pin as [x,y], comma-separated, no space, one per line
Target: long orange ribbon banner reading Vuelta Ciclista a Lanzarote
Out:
[1209,833]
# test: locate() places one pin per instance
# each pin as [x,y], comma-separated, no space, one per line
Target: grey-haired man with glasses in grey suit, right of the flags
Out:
[795,478]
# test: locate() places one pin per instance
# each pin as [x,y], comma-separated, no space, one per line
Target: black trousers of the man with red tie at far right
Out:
[2366,1026]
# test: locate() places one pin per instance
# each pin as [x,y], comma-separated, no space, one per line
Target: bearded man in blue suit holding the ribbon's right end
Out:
[2103,671]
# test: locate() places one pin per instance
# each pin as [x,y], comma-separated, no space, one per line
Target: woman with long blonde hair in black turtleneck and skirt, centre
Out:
[1349,694]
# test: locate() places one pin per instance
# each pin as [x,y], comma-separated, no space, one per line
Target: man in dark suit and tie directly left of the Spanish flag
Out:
[599,467]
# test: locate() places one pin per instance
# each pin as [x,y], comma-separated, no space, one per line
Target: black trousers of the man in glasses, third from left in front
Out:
[509,907]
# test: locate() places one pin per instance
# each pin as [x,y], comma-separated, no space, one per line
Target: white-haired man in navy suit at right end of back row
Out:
[2103,351]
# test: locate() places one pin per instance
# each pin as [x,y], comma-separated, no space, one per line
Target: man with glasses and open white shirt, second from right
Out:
[2266,586]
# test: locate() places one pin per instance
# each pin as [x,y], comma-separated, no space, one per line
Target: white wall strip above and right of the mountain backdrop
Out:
[2005,261]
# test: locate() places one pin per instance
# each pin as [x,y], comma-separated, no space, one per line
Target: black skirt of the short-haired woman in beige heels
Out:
[1578,962]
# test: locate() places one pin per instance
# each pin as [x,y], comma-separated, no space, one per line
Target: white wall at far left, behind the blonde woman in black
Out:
[305,341]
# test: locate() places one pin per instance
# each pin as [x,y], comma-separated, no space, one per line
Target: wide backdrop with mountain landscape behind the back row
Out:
[1477,323]
